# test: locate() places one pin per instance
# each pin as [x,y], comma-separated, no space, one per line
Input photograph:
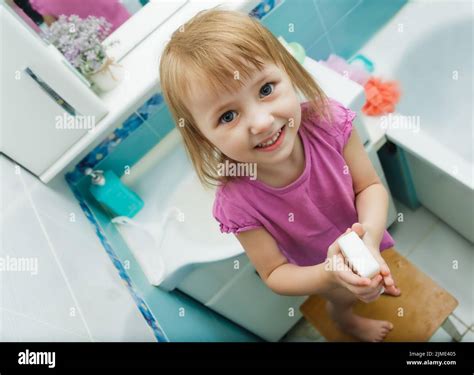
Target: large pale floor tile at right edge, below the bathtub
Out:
[448,259]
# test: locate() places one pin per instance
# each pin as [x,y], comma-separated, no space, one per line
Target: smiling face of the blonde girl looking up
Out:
[257,124]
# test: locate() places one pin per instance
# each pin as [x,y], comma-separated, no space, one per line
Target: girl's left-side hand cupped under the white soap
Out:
[365,289]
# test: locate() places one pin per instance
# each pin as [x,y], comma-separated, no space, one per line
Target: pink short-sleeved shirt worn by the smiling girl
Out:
[306,216]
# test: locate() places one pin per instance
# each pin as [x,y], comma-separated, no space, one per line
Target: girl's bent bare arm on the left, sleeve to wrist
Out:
[279,275]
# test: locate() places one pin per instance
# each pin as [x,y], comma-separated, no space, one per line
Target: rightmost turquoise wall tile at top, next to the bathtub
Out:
[350,34]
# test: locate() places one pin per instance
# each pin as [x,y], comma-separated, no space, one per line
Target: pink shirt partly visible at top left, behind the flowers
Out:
[111,10]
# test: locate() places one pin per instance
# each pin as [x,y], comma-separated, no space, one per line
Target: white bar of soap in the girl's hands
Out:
[359,258]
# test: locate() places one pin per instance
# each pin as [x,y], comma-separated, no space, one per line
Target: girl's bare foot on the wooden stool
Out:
[363,329]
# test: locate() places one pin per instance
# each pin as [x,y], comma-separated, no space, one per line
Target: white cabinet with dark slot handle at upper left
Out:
[45,106]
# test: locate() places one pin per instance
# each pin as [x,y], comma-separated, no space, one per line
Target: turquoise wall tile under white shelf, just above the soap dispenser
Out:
[130,150]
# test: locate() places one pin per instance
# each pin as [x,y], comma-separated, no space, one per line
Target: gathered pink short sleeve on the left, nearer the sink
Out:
[231,216]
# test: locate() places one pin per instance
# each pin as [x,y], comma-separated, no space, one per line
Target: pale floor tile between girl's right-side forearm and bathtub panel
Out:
[415,226]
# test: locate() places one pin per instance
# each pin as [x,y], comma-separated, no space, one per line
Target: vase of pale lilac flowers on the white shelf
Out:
[80,41]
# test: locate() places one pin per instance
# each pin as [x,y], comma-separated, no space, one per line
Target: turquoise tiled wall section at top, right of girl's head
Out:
[348,24]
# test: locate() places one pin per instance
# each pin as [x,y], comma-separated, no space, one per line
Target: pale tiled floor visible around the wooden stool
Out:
[440,252]
